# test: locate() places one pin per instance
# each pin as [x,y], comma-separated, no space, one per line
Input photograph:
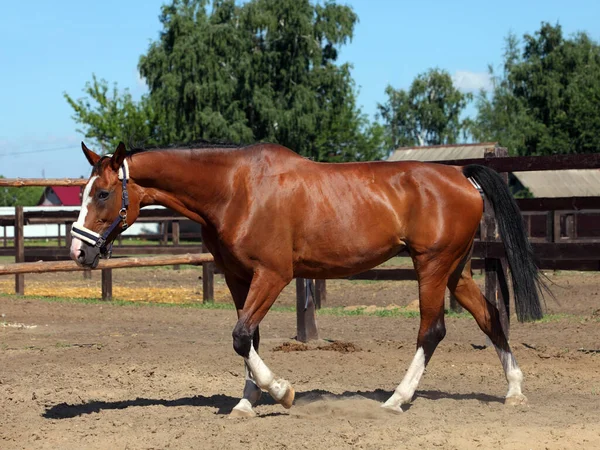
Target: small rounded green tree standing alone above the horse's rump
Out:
[427,114]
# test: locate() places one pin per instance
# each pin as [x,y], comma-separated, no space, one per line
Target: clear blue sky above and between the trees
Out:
[53,47]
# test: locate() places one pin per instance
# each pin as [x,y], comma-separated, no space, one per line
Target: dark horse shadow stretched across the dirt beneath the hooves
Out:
[225,403]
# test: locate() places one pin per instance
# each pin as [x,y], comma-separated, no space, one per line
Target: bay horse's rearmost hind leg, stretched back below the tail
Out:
[469,296]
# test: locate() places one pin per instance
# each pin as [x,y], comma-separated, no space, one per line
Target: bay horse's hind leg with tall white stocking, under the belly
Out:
[432,330]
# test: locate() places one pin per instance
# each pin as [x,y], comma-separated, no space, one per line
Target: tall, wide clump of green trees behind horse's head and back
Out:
[265,70]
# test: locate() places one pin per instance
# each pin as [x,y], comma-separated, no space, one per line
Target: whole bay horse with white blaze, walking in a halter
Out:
[269,215]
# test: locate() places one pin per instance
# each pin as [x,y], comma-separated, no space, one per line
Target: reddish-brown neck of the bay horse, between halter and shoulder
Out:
[192,183]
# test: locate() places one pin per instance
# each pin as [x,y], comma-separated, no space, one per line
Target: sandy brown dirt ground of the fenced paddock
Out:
[108,376]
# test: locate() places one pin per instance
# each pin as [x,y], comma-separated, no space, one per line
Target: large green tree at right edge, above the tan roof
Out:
[546,99]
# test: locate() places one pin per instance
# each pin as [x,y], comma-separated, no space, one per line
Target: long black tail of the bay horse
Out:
[526,281]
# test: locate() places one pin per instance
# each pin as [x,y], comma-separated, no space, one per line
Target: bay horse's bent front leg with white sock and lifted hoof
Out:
[264,290]
